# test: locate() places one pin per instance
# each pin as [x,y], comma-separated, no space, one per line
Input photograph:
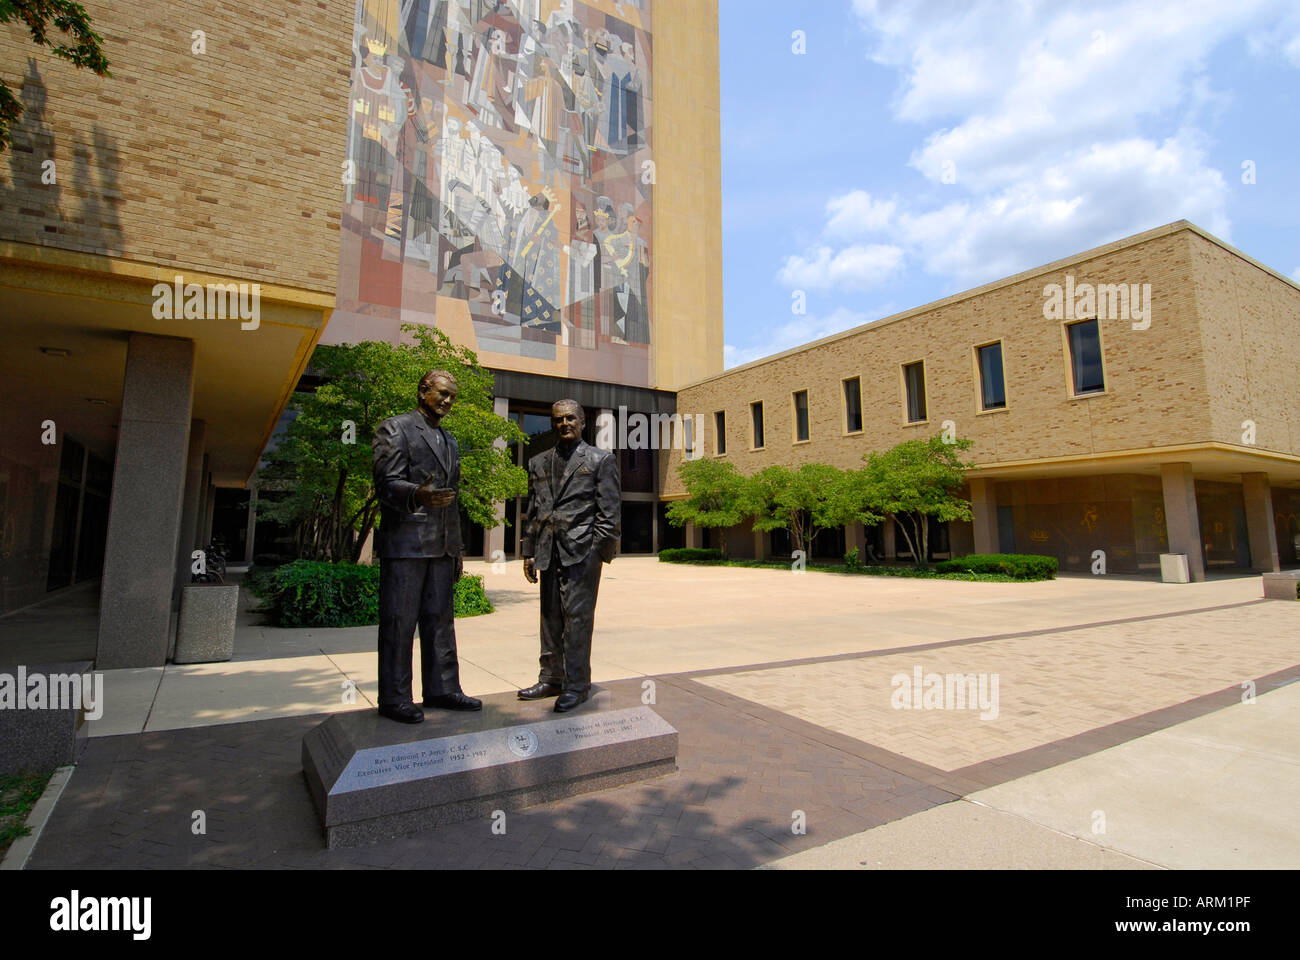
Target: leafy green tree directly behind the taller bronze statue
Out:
[322,465]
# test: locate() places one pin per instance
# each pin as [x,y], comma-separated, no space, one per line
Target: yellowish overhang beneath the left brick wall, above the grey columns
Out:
[68,318]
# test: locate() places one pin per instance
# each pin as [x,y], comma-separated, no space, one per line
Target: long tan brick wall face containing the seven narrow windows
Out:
[1156,382]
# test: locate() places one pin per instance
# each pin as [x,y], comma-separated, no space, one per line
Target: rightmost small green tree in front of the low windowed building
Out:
[916,481]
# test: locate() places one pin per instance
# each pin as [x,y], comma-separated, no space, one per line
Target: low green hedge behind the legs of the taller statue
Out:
[307,594]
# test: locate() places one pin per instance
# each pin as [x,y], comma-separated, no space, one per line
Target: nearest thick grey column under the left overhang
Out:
[146,508]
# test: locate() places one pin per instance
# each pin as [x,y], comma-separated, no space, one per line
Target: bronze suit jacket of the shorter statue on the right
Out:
[582,514]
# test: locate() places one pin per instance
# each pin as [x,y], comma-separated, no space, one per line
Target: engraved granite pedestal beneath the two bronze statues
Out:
[375,780]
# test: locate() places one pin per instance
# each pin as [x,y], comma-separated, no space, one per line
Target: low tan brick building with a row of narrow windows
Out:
[1154,412]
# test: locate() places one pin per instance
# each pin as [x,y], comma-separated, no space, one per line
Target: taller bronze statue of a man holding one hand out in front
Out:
[418,479]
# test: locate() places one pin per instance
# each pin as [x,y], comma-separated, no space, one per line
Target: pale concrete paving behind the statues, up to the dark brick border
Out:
[653,620]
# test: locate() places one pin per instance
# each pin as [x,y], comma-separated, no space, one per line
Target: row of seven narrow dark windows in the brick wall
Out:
[1084,343]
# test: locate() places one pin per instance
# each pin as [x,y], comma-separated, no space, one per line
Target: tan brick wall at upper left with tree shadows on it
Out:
[228,162]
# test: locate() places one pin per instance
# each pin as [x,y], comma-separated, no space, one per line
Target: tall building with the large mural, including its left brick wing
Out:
[541,179]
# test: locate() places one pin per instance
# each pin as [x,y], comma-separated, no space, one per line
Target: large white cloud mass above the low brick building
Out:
[1068,126]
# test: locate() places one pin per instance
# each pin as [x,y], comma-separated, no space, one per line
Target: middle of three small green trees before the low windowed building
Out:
[804,501]
